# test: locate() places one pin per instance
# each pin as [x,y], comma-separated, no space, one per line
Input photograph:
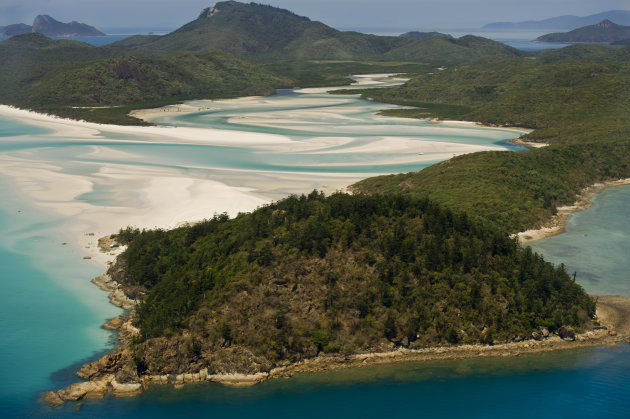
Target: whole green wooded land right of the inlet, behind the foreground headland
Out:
[576,98]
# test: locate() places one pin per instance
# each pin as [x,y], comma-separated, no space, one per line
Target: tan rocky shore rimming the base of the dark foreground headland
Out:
[119,373]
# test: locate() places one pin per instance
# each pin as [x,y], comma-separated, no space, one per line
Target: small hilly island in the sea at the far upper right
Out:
[605,32]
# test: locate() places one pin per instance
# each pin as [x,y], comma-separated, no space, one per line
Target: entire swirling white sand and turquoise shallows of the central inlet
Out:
[210,157]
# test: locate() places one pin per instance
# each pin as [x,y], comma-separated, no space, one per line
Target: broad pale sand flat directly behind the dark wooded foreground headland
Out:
[140,197]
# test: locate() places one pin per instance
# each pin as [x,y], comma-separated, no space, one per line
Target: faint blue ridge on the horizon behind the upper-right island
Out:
[621,17]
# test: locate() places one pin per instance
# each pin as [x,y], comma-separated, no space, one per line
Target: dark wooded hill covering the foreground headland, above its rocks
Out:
[339,273]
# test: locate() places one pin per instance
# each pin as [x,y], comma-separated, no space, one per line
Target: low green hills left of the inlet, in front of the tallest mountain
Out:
[76,80]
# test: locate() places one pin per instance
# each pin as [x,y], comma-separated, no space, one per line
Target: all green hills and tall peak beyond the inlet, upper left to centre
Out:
[103,84]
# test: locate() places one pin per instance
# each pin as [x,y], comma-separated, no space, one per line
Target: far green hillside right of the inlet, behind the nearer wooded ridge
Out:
[576,93]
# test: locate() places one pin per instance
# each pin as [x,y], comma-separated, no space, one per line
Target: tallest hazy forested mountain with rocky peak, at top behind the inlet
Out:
[267,33]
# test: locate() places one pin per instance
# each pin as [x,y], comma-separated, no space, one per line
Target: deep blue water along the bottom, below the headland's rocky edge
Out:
[580,384]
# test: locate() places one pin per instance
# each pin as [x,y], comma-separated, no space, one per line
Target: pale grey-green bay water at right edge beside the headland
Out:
[596,244]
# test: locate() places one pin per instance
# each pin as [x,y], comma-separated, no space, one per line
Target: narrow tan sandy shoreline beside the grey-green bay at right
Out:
[557,224]
